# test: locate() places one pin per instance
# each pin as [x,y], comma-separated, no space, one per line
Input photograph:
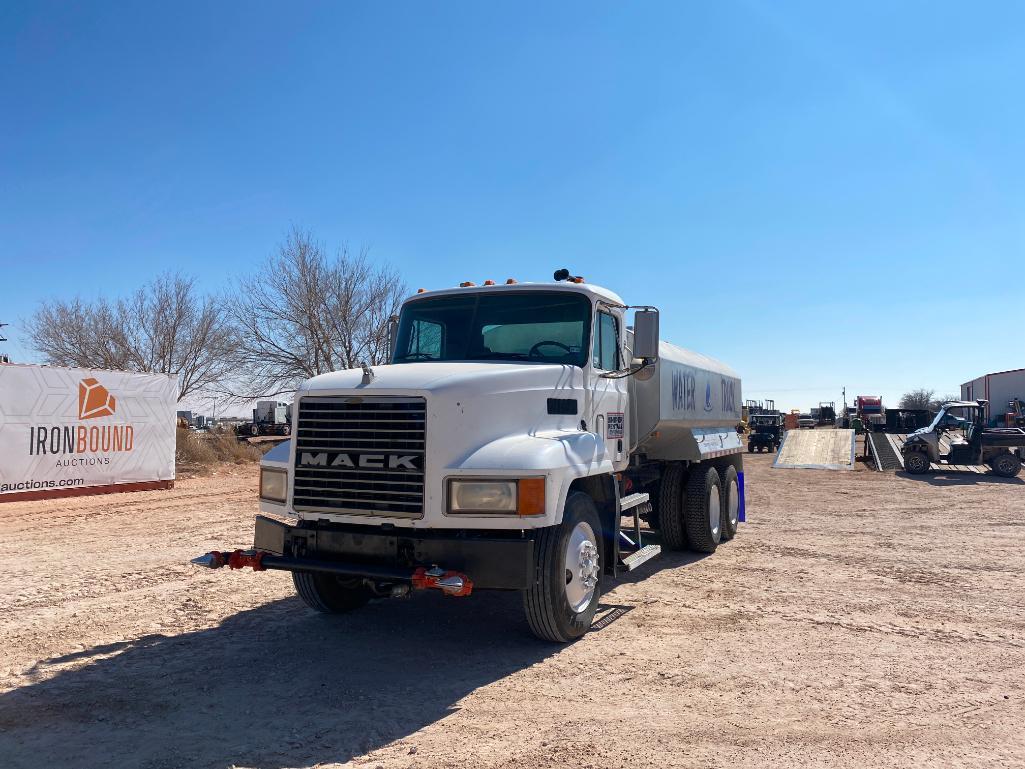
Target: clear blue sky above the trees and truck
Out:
[822,197]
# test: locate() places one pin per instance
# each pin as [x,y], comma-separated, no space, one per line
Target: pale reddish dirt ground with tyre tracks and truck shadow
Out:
[859,620]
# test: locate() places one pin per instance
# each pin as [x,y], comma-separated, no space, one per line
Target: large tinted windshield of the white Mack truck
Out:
[540,328]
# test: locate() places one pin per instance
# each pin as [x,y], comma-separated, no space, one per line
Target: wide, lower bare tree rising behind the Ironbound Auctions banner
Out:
[165,328]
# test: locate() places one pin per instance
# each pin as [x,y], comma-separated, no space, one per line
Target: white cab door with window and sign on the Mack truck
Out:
[609,395]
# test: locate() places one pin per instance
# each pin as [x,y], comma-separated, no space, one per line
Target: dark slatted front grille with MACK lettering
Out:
[359,456]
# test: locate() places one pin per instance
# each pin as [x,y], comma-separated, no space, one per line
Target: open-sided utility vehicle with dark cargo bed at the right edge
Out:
[971,441]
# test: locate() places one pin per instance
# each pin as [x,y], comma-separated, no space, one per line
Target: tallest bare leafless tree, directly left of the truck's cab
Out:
[304,314]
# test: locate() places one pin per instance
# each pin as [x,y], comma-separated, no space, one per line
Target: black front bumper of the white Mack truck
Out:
[494,560]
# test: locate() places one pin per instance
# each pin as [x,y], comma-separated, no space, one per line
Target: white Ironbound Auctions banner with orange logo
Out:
[74,428]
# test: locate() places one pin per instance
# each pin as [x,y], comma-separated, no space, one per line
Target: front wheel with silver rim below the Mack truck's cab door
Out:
[561,604]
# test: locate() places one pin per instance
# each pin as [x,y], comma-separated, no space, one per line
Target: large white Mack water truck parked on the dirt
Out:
[515,429]
